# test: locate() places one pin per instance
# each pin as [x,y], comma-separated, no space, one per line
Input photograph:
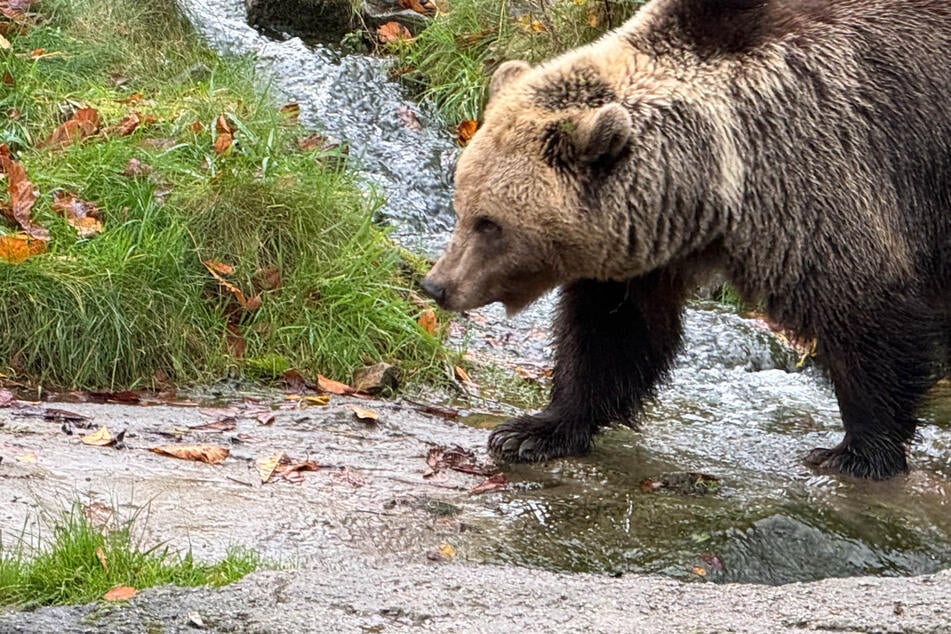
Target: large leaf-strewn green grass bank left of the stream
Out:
[134,306]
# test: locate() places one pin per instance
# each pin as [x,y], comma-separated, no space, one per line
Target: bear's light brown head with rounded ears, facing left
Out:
[526,187]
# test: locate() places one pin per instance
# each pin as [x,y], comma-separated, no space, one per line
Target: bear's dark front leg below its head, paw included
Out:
[614,342]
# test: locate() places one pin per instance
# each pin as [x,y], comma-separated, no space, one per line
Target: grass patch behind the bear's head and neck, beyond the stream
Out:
[451,60]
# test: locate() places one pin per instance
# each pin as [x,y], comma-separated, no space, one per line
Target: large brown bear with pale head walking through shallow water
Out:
[801,147]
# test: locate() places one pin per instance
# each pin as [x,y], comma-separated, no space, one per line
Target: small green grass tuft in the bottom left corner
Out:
[68,568]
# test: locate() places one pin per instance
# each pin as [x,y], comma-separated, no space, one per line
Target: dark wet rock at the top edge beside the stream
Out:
[322,20]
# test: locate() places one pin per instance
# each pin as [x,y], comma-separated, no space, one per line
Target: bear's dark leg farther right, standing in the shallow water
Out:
[880,375]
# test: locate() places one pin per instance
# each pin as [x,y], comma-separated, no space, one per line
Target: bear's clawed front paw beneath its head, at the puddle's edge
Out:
[536,439]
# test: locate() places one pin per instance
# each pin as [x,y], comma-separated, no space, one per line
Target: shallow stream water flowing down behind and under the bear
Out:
[712,484]
